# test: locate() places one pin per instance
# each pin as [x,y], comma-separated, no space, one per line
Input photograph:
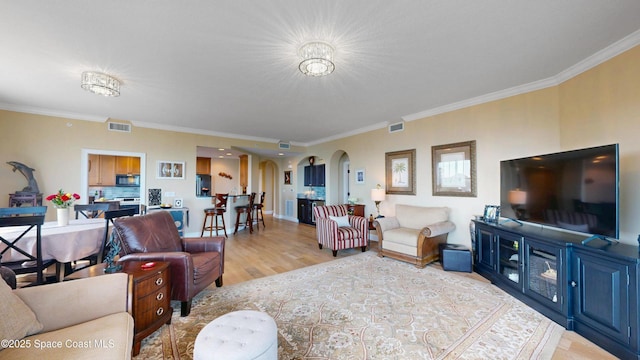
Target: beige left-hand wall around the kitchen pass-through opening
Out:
[53,147]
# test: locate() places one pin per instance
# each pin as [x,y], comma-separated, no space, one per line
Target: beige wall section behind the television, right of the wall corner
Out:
[602,106]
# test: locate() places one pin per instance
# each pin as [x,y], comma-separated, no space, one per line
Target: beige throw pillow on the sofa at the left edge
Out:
[18,320]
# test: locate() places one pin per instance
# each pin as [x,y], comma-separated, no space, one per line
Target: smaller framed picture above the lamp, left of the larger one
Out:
[400,172]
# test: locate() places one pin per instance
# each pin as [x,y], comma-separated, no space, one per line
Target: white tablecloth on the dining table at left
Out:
[75,241]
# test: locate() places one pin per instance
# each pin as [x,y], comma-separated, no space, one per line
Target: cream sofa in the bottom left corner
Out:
[78,319]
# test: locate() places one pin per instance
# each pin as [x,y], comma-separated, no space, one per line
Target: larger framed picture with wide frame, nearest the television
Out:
[454,169]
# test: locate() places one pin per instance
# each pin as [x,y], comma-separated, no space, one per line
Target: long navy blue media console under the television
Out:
[589,288]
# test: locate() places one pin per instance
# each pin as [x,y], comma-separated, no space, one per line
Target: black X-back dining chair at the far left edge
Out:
[24,219]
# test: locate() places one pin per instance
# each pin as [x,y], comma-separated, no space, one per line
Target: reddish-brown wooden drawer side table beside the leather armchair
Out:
[150,295]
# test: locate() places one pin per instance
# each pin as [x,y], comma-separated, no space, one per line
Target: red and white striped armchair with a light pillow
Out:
[337,230]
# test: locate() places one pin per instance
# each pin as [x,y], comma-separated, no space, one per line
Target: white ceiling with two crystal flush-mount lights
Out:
[230,67]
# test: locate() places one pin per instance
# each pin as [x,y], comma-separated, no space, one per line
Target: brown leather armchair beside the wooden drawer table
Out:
[195,262]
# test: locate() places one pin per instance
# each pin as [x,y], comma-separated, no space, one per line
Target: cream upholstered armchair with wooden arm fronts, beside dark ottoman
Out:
[413,234]
